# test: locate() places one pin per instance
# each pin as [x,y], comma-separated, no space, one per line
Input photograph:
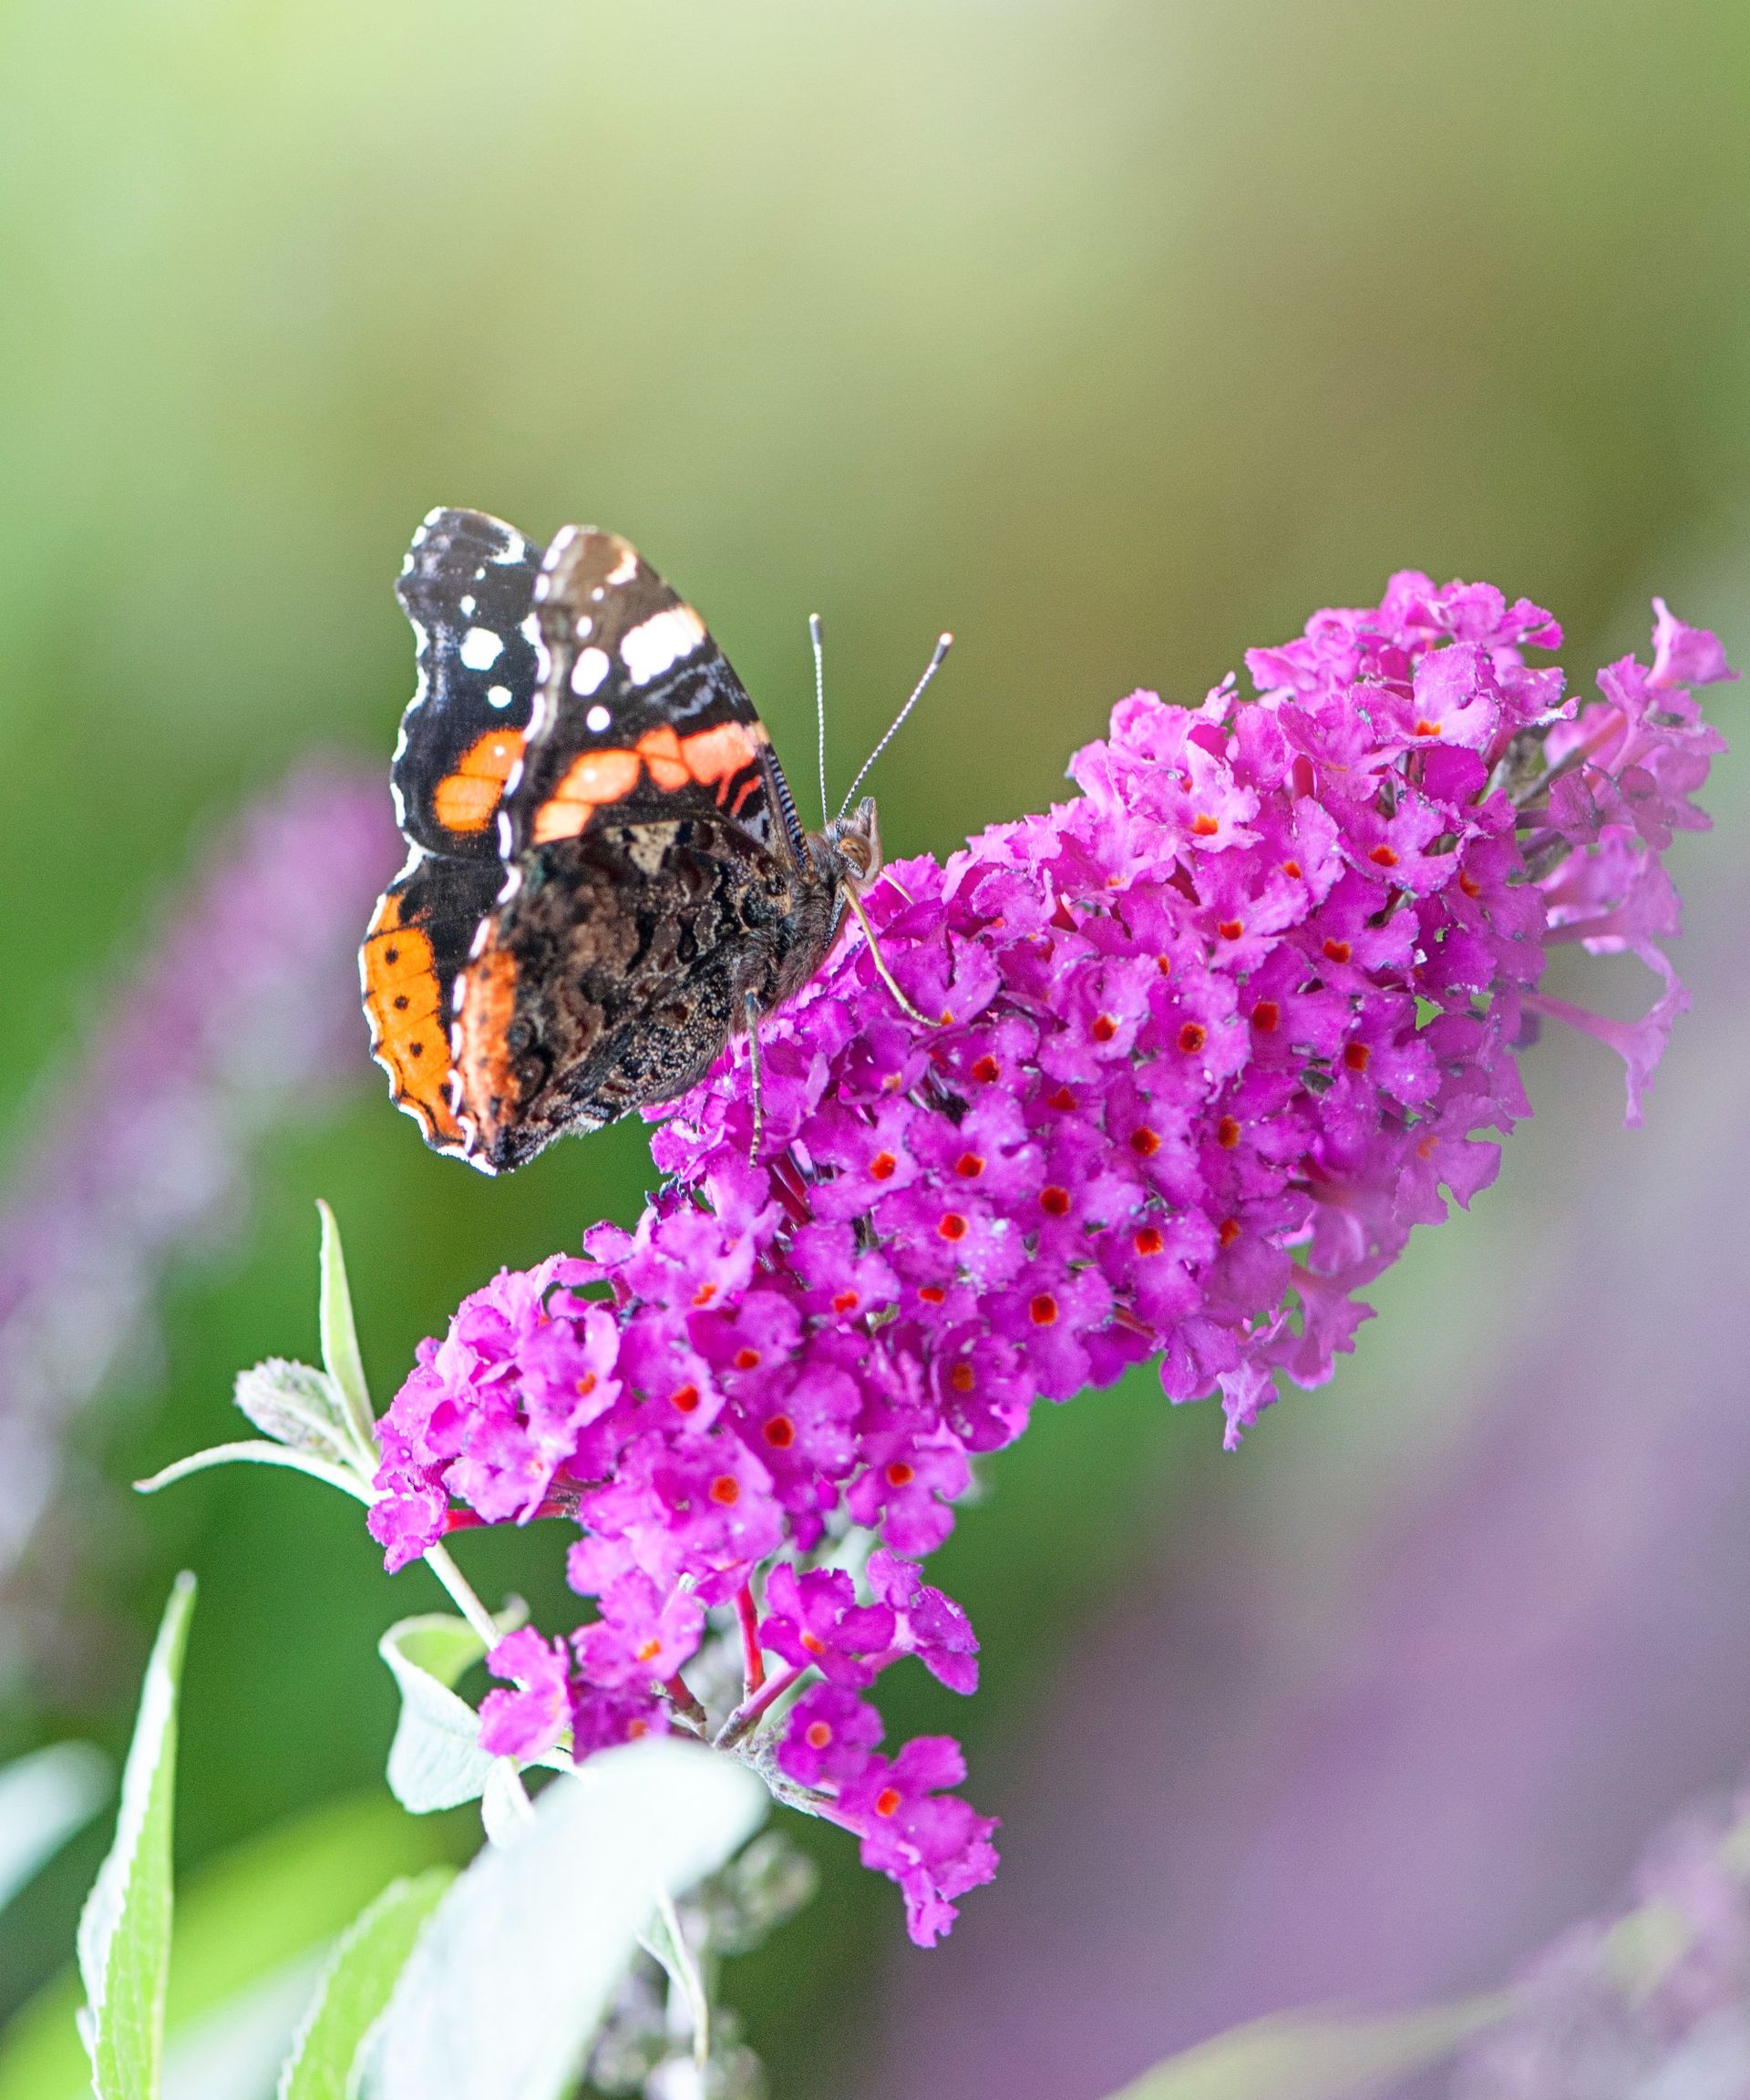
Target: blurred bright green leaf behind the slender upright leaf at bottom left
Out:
[253,1935]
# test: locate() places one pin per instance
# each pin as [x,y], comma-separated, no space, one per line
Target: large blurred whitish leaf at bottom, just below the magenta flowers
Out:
[512,1977]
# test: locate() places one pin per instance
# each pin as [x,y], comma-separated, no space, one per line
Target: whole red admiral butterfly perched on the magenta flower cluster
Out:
[606,877]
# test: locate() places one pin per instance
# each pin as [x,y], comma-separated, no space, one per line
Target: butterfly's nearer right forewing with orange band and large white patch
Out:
[640,711]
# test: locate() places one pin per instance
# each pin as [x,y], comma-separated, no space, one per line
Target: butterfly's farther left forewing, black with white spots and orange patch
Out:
[467,587]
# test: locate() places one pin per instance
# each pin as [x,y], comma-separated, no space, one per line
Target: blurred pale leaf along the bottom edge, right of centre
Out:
[1312,2057]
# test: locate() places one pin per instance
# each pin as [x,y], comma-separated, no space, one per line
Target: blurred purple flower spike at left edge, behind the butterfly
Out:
[243,1015]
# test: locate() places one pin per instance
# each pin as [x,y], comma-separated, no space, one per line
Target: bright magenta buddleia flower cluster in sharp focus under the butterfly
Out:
[1205,1045]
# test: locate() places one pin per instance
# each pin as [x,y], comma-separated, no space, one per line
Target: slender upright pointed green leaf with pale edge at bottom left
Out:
[125,1927]
